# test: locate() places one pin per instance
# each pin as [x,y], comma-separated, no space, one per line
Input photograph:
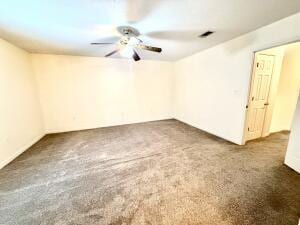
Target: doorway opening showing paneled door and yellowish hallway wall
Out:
[274,91]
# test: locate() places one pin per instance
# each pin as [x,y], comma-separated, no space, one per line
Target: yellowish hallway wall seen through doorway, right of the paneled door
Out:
[287,91]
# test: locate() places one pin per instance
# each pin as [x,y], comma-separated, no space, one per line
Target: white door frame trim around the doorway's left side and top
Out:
[246,115]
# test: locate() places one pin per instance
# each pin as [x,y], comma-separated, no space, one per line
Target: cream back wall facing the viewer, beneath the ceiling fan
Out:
[86,92]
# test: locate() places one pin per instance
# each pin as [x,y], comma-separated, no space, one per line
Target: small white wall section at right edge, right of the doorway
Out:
[292,158]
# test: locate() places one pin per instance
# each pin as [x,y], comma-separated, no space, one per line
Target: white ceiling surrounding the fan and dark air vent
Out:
[68,26]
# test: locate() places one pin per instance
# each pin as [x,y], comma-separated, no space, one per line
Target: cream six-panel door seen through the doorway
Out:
[258,101]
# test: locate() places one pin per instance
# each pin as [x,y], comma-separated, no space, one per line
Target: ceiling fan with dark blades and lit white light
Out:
[128,42]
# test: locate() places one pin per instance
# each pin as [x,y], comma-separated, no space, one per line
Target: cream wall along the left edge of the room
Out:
[20,118]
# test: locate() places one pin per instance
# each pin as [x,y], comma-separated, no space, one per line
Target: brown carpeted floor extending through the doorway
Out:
[156,173]
